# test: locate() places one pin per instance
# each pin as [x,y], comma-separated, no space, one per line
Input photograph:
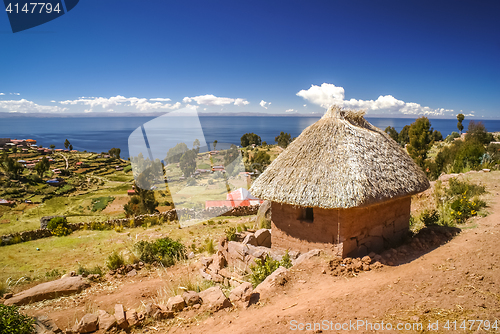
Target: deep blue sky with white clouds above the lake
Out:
[393,58]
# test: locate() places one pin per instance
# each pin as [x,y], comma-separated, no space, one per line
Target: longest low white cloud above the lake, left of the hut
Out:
[141,104]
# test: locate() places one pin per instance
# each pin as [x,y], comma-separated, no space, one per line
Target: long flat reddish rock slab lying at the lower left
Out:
[49,290]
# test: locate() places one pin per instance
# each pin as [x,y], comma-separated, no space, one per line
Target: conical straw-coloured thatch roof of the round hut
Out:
[341,161]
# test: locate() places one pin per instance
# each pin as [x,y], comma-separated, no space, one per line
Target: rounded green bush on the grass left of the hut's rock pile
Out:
[165,251]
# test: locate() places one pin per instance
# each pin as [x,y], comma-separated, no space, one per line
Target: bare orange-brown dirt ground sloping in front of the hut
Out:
[458,280]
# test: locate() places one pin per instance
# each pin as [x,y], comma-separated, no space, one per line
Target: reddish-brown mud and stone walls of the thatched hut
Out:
[344,232]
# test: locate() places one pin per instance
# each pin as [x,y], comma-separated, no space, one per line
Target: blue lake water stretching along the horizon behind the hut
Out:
[99,134]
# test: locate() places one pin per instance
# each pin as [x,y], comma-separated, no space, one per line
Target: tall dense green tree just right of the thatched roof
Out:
[420,140]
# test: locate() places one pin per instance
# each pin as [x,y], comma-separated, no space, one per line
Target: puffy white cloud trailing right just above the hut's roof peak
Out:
[329,94]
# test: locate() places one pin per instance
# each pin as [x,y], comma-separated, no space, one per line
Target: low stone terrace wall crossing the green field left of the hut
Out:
[168,216]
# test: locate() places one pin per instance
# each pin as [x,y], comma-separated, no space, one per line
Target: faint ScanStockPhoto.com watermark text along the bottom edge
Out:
[356,325]
